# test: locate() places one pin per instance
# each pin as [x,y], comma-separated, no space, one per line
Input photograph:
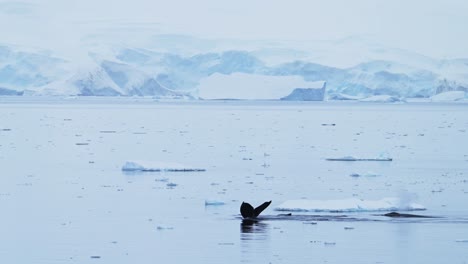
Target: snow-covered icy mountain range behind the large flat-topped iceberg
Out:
[130,71]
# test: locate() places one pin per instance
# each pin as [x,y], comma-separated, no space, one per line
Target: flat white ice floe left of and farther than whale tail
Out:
[157,166]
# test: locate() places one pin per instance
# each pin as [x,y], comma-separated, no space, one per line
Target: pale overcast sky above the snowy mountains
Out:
[436,28]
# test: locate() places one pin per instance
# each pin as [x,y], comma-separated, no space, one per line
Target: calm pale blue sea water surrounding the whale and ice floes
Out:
[65,199]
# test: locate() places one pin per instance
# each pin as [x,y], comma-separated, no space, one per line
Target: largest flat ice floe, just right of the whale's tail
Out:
[349,205]
